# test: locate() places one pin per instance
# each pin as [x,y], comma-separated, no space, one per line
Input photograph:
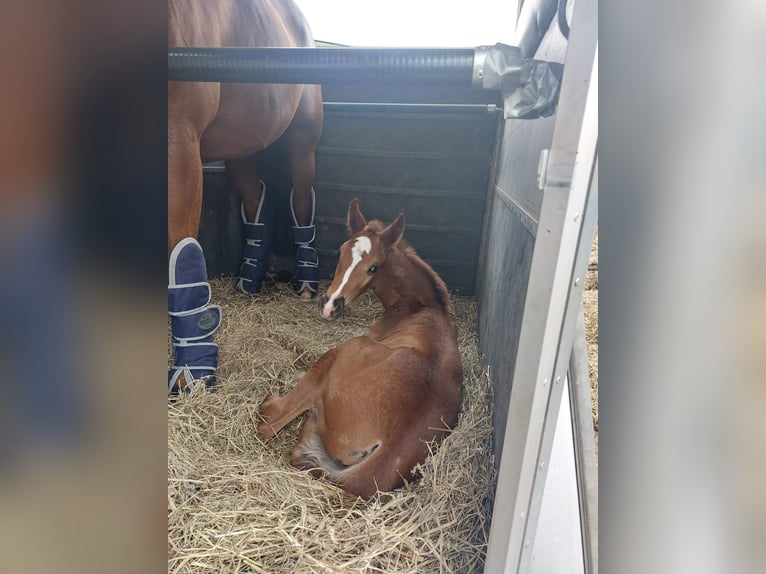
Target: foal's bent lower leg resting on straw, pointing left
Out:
[276,411]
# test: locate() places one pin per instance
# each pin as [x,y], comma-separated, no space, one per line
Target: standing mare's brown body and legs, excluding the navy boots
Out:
[231,122]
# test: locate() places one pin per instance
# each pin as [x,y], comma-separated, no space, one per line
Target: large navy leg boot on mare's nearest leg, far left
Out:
[193,320]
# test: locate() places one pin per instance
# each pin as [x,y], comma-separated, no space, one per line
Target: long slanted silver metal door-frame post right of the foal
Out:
[554,293]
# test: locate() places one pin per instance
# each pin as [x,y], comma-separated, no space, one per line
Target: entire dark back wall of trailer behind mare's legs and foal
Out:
[424,151]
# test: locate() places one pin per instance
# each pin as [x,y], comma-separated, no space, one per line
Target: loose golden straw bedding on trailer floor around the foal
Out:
[235,504]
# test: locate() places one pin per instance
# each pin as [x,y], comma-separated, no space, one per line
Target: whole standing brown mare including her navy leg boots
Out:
[232,122]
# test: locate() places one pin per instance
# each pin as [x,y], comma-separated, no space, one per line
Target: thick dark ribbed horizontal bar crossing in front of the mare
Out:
[412,66]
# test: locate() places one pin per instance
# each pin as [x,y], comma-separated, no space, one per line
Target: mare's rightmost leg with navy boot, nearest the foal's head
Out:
[302,139]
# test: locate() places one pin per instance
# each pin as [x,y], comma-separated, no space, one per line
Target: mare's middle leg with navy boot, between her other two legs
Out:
[257,214]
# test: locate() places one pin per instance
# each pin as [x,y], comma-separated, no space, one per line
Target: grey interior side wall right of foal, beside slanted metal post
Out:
[513,212]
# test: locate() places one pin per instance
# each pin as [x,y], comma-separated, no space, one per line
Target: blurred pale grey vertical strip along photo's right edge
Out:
[681,287]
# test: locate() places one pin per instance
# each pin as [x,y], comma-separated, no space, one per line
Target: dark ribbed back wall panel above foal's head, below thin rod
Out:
[433,166]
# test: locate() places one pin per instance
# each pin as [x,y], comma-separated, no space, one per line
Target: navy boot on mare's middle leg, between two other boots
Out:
[257,245]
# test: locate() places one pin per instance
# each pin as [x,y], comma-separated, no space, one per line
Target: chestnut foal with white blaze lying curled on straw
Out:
[373,403]
